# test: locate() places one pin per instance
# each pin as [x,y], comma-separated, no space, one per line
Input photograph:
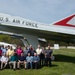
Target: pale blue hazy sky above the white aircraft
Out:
[43,11]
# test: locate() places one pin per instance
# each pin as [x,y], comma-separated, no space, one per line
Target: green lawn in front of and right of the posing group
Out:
[64,64]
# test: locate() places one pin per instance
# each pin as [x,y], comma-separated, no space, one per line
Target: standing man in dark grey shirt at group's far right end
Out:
[48,54]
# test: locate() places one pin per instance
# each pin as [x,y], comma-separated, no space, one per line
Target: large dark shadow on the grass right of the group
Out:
[64,58]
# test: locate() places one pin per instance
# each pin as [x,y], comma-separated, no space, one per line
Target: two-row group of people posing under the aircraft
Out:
[28,57]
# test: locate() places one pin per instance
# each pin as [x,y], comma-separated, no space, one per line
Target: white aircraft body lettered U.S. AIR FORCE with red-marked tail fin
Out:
[57,31]
